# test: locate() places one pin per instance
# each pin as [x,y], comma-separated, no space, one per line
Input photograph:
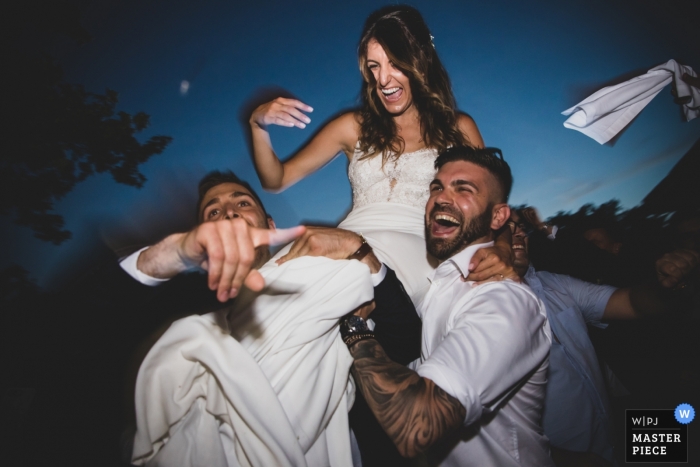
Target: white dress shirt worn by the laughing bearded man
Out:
[487,346]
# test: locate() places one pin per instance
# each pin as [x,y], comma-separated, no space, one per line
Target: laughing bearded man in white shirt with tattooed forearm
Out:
[475,396]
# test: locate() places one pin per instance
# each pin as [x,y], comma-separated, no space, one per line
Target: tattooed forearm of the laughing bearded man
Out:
[413,410]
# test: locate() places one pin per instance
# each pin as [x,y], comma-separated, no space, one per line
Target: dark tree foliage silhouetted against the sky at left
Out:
[56,134]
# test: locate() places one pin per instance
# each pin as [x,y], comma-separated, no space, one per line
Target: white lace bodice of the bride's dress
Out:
[404,180]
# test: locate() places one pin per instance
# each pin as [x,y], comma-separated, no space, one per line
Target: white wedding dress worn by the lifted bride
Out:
[389,211]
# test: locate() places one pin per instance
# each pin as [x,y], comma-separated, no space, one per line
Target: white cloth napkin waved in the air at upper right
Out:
[606,112]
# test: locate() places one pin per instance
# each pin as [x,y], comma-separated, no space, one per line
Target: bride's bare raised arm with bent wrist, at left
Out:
[338,135]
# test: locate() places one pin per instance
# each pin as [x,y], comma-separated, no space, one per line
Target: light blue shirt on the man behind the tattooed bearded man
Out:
[576,411]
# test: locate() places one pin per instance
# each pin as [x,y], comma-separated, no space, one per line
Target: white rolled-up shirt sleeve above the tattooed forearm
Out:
[494,338]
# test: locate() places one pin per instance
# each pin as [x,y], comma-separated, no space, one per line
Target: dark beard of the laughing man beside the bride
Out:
[443,248]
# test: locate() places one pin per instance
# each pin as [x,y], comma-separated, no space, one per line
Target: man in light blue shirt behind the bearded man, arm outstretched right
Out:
[577,415]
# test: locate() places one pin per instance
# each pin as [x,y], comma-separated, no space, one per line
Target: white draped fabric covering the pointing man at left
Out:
[262,382]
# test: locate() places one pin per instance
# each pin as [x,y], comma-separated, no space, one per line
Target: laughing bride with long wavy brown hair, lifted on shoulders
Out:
[408,115]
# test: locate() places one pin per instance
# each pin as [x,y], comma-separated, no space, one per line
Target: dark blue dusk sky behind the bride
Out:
[515,66]
